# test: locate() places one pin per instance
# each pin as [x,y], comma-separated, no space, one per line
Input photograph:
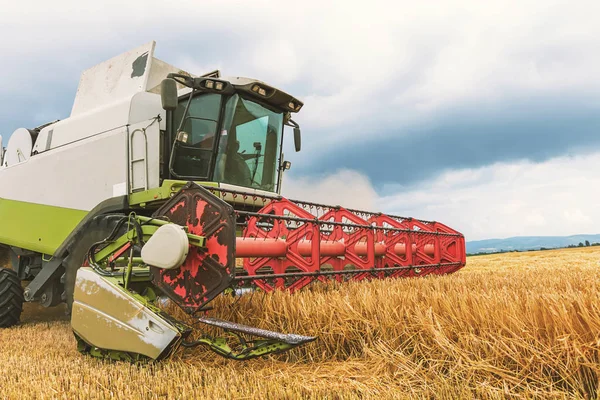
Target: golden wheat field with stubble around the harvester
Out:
[517,325]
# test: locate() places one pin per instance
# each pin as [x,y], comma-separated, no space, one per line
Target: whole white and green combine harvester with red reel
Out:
[154,186]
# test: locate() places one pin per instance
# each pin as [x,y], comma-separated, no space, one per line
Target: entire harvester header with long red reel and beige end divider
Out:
[187,251]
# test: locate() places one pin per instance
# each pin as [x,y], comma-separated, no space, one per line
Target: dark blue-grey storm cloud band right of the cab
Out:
[535,129]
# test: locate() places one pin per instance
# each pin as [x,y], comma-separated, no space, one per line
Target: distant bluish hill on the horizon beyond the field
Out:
[528,243]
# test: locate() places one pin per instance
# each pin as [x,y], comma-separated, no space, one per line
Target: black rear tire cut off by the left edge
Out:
[11,298]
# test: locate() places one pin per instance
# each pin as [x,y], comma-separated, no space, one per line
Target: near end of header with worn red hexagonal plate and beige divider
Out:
[185,251]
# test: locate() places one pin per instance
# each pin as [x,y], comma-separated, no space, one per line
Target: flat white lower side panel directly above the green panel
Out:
[84,173]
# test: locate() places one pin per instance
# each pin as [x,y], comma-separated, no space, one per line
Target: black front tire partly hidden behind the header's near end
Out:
[95,231]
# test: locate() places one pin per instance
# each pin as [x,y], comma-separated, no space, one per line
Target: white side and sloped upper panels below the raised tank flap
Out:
[87,161]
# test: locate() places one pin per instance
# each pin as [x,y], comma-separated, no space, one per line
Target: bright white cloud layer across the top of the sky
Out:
[354,63]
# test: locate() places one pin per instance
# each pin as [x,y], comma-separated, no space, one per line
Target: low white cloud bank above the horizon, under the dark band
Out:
[556,197]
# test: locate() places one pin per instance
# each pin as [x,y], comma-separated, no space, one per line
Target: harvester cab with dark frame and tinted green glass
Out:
[226,131]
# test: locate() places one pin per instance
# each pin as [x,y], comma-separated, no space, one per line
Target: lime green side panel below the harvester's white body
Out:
[36,227]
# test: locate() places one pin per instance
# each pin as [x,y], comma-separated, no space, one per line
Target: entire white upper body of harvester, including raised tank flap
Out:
[98,153]
